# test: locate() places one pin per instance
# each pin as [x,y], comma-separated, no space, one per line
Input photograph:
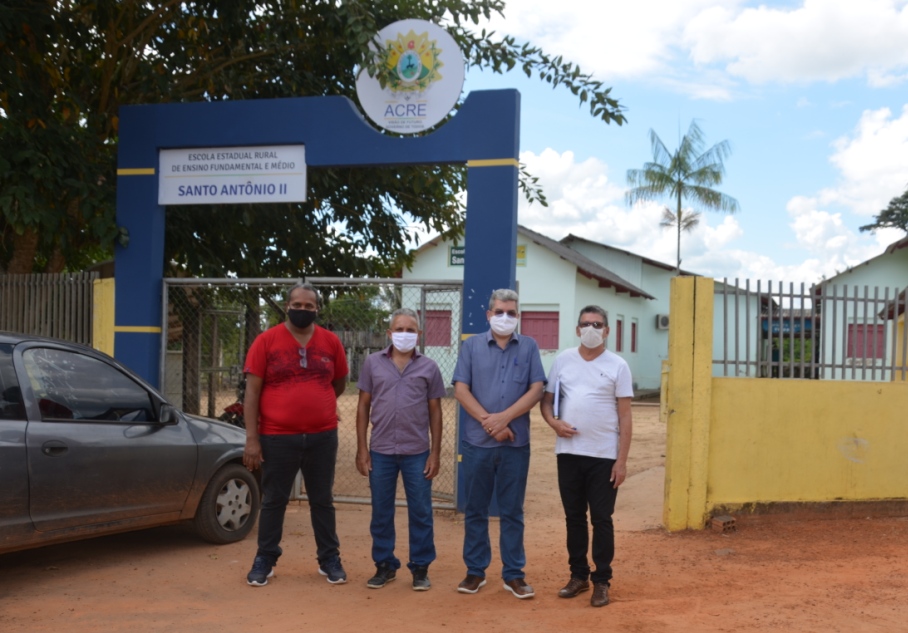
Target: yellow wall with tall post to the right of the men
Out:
[732,442]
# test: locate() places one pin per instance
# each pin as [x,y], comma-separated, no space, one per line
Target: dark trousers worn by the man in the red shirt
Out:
[285,455]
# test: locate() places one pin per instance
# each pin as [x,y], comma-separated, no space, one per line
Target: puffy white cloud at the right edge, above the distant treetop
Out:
[873,162]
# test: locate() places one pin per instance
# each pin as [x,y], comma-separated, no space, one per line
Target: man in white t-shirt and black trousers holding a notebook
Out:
[588,405]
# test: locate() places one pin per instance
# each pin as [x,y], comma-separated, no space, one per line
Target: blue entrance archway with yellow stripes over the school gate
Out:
[484,135]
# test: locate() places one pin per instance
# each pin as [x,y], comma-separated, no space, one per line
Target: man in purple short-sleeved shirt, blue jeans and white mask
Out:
[400,390]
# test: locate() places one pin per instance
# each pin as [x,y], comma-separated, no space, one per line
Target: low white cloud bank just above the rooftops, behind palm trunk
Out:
[584,201]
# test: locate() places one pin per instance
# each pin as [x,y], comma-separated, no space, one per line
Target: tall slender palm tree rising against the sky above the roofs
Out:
[688,175]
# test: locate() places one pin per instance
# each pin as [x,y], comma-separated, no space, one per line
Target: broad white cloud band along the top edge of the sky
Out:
[816,40]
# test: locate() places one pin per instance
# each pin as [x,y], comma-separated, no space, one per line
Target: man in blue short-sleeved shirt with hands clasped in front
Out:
[497,381]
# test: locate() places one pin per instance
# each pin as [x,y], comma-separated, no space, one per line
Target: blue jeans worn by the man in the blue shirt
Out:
[502,469]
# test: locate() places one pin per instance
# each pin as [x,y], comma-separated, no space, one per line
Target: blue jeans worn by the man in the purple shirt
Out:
[383,481]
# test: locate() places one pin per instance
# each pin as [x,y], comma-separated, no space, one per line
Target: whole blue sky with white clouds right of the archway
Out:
[811,94]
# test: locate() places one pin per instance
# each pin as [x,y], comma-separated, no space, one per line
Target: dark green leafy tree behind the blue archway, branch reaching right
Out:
[66,66]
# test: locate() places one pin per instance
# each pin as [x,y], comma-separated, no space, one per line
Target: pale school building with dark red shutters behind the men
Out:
[556,279]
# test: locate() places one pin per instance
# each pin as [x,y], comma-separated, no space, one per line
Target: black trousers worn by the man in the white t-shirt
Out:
[584,483]
